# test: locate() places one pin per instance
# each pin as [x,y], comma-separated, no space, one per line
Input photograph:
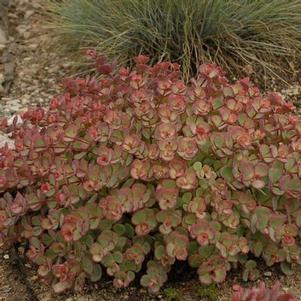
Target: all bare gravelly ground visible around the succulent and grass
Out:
[30,73]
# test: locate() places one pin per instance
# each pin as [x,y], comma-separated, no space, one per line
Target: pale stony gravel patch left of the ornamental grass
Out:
[30,70]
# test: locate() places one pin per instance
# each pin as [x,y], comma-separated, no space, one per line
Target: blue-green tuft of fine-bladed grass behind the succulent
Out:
[230,33]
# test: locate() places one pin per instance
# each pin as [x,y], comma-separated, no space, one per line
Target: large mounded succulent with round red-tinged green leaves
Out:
[134,171]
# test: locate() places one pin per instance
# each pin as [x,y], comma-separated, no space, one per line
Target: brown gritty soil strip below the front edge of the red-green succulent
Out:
[18,282]
